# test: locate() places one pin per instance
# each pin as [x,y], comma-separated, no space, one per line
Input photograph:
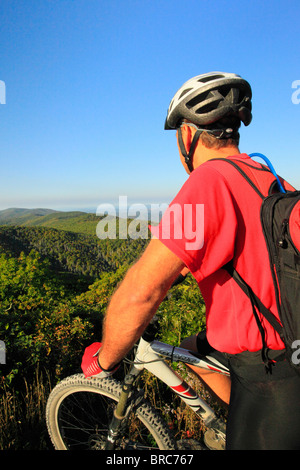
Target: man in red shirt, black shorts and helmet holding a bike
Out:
[264,409]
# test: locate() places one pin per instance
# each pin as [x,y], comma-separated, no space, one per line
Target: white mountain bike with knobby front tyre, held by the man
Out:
[106,414]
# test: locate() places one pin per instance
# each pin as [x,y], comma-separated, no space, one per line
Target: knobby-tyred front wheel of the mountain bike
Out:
[78,412]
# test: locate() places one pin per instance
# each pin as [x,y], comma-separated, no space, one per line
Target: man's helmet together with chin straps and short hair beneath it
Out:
[214,104]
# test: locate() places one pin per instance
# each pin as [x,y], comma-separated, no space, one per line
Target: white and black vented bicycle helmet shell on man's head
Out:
[210,97]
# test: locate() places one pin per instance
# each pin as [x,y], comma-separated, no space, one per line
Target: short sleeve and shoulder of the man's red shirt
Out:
[200,224]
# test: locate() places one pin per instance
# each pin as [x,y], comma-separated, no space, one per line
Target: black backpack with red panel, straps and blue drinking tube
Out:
[280,220]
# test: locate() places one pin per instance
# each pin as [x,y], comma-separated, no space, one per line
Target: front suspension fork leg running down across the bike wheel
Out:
[121,408]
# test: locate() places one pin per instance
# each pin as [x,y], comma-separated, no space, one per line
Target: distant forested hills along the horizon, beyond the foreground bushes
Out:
[67,239]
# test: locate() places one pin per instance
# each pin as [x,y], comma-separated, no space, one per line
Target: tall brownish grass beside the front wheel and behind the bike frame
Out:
[22,414]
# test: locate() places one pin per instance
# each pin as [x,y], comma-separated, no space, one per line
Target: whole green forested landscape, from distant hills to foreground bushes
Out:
[56,280]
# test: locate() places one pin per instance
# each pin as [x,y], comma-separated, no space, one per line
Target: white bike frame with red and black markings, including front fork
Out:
[150,356]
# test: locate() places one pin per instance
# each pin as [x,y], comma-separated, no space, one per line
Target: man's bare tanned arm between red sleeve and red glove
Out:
[136,300]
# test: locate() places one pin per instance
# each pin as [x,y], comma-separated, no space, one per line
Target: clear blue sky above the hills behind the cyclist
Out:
[88,84]
